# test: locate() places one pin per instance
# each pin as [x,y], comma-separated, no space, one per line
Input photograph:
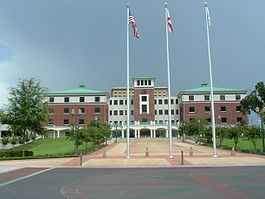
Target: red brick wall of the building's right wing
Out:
[231,114]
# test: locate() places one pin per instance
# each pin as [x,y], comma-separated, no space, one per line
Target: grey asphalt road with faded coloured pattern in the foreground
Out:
[162,183]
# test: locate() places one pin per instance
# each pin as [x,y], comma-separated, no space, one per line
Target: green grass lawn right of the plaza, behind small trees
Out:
[243,145]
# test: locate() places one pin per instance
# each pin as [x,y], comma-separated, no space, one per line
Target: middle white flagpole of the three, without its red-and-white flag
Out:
[169,89]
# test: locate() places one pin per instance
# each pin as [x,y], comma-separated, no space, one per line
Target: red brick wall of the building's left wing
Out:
[89,114]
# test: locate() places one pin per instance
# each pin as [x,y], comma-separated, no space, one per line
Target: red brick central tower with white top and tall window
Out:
[144,99]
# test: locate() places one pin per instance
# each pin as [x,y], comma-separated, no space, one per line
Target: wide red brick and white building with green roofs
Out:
[148,108]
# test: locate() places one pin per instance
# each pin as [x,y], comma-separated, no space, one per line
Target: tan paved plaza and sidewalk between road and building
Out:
[114,156]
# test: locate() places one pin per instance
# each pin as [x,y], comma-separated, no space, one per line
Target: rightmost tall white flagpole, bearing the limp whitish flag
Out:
[211,78]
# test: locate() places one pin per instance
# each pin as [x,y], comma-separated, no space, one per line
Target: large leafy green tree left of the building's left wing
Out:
[27,111]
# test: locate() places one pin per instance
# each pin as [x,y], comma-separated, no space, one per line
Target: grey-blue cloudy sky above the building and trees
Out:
[65,43]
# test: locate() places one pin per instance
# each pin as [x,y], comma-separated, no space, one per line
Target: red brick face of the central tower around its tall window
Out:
[137,115]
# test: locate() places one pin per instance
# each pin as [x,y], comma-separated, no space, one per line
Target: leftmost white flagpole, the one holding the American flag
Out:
[128,82]
